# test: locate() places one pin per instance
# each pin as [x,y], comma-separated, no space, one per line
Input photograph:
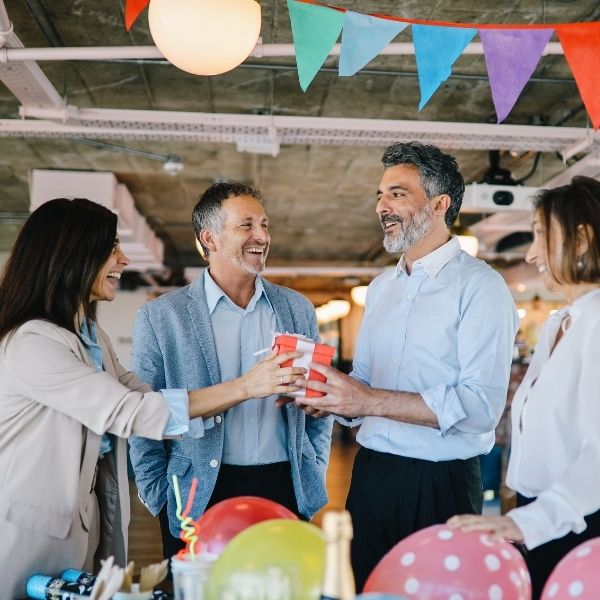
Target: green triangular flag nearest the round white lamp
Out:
[315,30]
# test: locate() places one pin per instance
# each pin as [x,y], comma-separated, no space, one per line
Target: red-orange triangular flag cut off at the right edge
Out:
[581,45]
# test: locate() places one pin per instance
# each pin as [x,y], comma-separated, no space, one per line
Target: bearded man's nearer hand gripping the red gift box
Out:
[344,396]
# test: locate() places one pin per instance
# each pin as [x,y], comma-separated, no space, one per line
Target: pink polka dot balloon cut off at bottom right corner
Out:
[576,576]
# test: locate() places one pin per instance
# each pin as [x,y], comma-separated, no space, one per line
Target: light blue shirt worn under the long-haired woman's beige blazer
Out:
[176,399]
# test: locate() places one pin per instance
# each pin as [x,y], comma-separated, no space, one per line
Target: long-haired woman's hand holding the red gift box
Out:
[267,377]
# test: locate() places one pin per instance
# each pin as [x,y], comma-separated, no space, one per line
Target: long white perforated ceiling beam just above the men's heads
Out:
[231,128]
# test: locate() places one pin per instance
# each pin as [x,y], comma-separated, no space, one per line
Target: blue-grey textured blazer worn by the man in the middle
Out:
[174,347]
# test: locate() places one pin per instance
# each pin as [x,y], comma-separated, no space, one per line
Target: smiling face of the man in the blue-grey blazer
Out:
[244,238]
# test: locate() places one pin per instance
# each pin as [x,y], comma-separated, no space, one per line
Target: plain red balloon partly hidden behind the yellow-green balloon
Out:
[223,521]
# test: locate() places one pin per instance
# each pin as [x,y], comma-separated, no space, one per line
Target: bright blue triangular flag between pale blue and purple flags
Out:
[436,50]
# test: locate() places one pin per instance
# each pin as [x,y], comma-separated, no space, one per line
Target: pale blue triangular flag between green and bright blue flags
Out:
[363,38]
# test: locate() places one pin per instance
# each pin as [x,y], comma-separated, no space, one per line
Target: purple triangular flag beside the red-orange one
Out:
[511,56]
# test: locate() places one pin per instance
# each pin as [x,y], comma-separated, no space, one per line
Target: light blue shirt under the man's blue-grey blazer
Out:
[255,430]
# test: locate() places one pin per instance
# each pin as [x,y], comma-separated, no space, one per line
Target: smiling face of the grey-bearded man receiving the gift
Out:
[405,212]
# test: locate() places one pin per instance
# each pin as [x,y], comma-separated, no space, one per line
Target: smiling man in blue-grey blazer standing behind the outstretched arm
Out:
[208,335]
